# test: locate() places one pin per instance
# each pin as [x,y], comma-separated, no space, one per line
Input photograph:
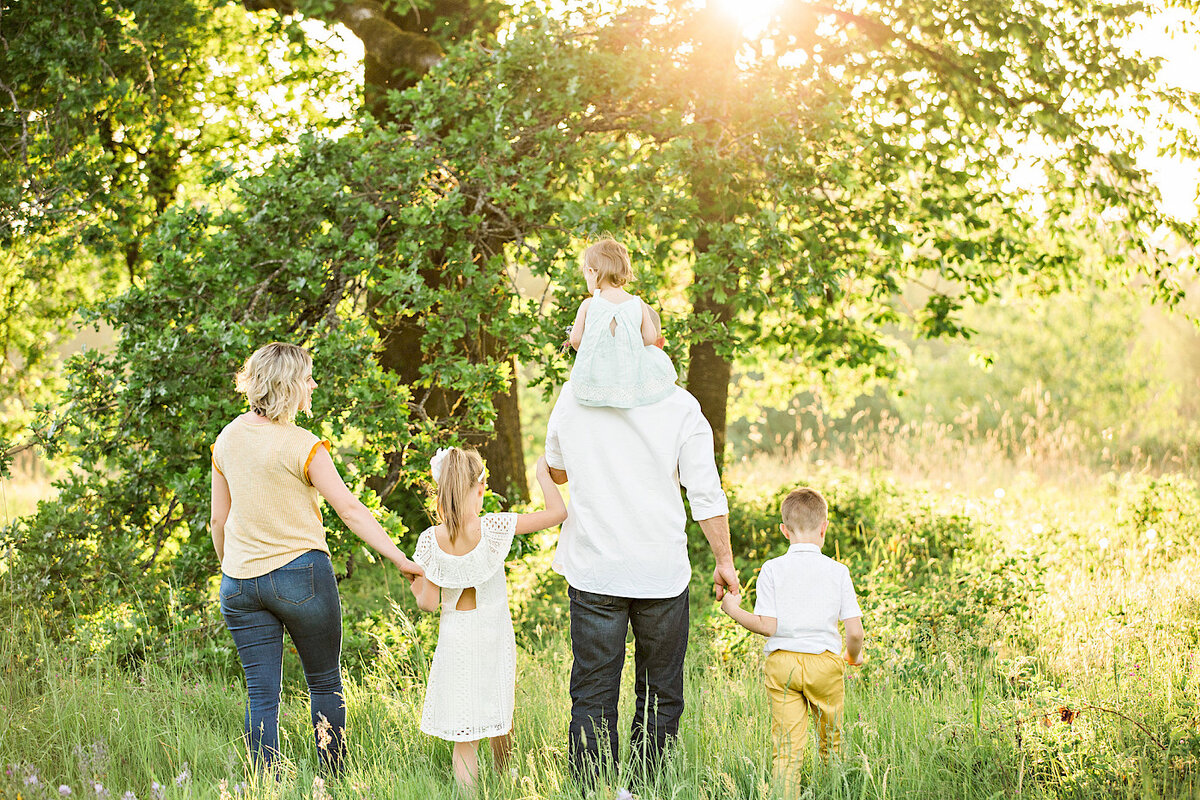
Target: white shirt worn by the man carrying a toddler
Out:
[625,532]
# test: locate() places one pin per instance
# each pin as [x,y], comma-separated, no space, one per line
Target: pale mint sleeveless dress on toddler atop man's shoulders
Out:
[614,368]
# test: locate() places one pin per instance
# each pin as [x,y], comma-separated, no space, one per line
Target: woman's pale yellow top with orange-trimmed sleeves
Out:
[274,515]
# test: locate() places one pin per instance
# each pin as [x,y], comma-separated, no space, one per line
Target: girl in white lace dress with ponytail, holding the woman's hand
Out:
[471,690]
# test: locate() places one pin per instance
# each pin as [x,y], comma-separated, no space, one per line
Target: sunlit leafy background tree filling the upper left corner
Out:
[110,113]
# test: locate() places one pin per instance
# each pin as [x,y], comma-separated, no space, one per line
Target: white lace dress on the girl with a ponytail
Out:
[473,678]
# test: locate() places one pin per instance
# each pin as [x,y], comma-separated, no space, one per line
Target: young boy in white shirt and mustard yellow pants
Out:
[802,597]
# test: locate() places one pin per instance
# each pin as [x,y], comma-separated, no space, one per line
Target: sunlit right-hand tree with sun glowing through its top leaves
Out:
[814,171]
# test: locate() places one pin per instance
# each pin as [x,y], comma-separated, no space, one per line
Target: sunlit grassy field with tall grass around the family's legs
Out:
[1034,631]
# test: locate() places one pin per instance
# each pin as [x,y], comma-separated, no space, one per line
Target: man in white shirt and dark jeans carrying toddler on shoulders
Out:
[623,551]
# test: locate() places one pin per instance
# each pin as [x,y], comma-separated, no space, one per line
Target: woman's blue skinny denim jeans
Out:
[302,598]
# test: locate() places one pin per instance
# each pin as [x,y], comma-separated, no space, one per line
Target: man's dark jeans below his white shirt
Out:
[599,624]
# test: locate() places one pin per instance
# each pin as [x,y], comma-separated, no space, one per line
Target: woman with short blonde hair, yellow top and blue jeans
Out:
[271,539]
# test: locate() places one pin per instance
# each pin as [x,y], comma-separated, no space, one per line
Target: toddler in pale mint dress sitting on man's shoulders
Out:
[619,363]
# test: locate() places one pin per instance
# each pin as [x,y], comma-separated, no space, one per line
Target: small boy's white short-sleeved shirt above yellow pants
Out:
[808,593]
